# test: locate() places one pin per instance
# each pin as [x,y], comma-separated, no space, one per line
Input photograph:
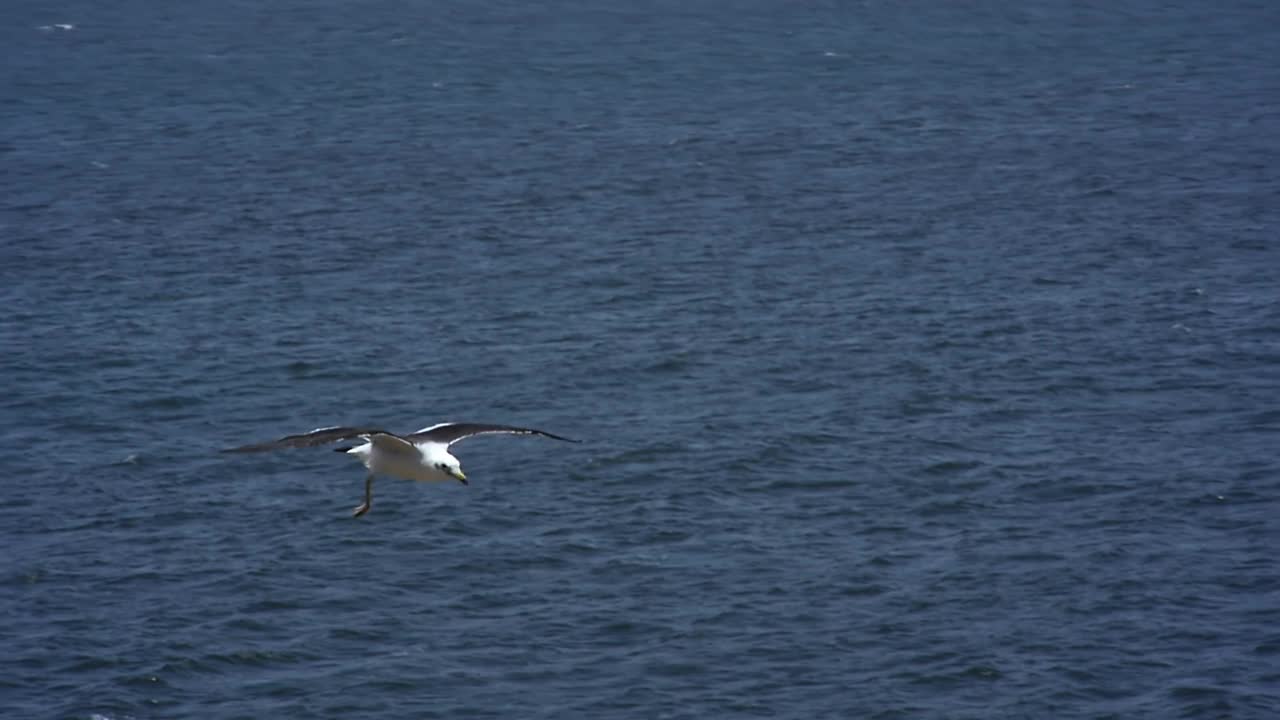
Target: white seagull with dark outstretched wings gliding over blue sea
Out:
[423,455]
